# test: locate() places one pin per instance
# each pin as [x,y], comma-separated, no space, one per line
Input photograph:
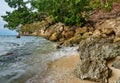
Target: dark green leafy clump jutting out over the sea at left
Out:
[19,16]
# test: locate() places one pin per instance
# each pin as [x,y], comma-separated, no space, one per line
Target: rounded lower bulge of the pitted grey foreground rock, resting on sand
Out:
[93,69]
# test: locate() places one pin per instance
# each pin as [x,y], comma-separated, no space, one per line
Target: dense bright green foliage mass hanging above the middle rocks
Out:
[70,12]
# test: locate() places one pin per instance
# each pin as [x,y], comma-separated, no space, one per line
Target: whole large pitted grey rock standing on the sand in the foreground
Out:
[94,52]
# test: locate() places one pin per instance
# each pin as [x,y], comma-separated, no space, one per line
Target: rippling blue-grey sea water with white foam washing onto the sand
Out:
[25,58]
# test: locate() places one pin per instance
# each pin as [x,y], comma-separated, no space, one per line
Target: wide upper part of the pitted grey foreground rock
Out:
[99,47]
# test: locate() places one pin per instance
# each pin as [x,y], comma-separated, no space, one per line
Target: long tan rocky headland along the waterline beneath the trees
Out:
[57,32]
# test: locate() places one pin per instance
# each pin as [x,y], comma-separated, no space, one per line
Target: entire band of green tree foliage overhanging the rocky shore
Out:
[70,12]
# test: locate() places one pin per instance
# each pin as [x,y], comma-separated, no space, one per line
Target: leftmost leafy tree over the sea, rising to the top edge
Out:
[21,14]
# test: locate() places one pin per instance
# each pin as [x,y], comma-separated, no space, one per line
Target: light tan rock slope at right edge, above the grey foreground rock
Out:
[111,27]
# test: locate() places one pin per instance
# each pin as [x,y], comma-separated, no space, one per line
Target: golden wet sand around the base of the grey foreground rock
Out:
[62,71]
